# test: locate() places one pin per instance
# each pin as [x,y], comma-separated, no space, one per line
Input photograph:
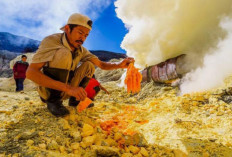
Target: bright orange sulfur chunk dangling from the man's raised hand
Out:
[133,79]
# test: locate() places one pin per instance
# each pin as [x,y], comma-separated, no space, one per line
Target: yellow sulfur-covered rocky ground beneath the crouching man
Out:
[156,122]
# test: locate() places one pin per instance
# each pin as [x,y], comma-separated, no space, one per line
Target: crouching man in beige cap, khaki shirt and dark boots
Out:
[55,67]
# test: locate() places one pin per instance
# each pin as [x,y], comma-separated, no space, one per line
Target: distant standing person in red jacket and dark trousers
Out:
[19,69]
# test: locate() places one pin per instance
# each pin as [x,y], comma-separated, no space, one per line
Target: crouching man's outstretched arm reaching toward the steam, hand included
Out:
[110,66]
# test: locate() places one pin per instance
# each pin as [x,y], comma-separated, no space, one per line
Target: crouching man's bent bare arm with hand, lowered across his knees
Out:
[34,73]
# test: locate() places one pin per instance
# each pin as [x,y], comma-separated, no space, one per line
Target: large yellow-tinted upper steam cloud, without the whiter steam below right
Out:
[161,29]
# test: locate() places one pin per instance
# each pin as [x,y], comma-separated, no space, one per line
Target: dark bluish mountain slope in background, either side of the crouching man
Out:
[12,45]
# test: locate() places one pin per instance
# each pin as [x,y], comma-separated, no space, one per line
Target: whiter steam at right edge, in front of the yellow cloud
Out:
[217,66]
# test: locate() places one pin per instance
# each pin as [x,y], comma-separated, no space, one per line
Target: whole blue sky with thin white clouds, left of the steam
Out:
[39,18]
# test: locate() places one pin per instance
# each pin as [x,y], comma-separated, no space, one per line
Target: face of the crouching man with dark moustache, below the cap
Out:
[78,35]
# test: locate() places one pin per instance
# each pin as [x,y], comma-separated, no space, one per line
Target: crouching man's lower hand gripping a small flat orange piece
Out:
[77,92]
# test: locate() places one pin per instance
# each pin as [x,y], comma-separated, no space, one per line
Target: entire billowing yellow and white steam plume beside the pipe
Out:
[162,29]
